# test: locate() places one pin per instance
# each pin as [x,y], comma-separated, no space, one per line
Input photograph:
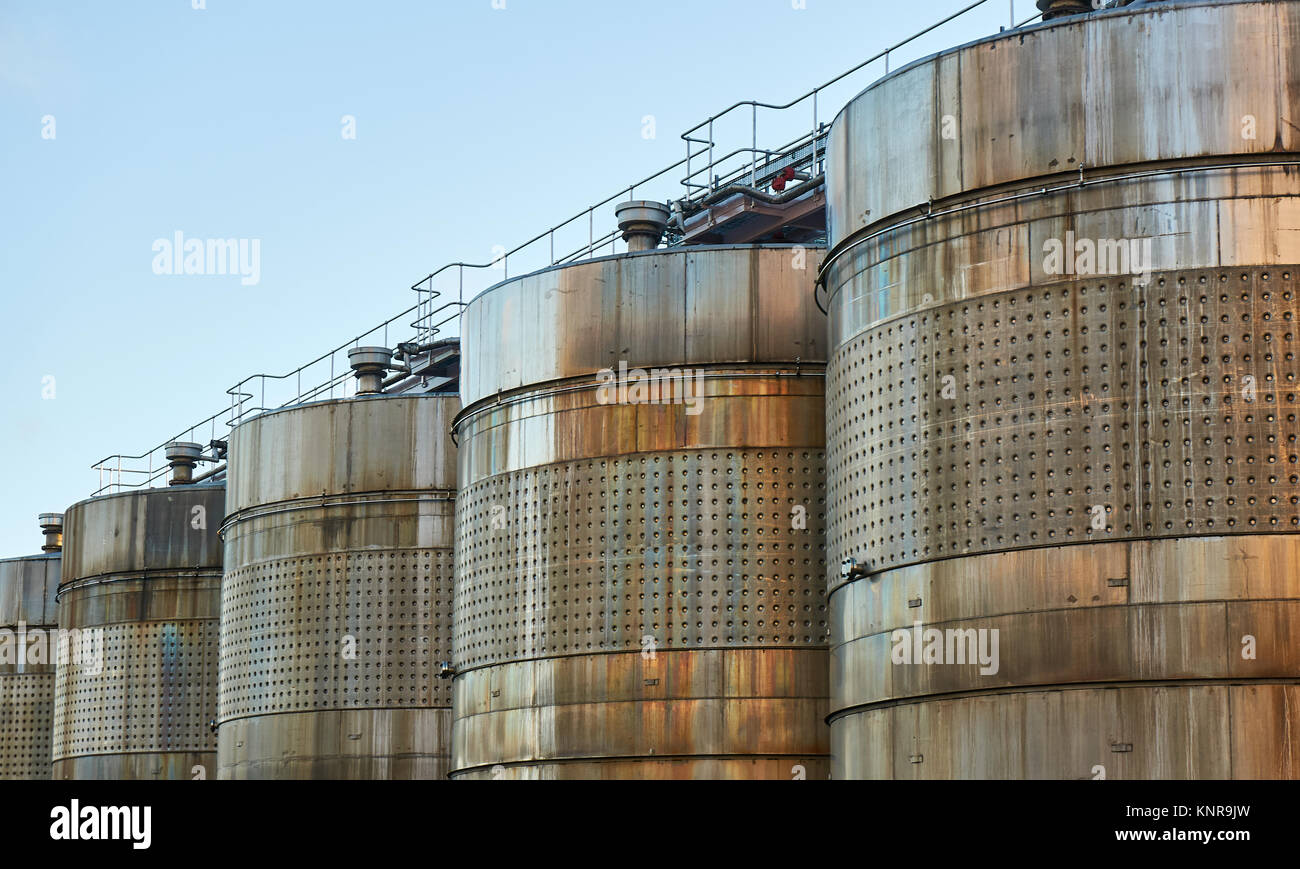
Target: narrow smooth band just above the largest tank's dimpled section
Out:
[1212,219]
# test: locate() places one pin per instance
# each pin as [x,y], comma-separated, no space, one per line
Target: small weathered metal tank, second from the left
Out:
[141,586]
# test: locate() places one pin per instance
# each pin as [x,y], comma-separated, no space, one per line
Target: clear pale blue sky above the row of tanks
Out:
[123,124]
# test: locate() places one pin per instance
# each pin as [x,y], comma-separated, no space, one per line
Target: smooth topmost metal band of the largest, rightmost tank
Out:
[1111,90]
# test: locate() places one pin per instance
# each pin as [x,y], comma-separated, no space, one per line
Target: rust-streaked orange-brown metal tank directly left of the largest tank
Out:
[640,567]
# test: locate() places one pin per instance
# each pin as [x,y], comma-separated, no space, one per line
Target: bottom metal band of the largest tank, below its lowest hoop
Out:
[1184,732]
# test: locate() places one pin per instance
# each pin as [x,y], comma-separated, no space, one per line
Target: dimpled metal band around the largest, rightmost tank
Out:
[1008,422]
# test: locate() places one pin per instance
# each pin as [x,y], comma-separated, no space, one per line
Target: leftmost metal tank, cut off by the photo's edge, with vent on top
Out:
[29,650]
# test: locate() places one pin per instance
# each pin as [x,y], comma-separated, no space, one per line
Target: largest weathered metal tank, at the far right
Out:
[1063,439]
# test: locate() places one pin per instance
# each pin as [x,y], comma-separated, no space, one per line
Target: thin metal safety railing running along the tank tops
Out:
[570,241]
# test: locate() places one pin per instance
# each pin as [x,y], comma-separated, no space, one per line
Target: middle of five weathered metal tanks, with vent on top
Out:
[337,600]
